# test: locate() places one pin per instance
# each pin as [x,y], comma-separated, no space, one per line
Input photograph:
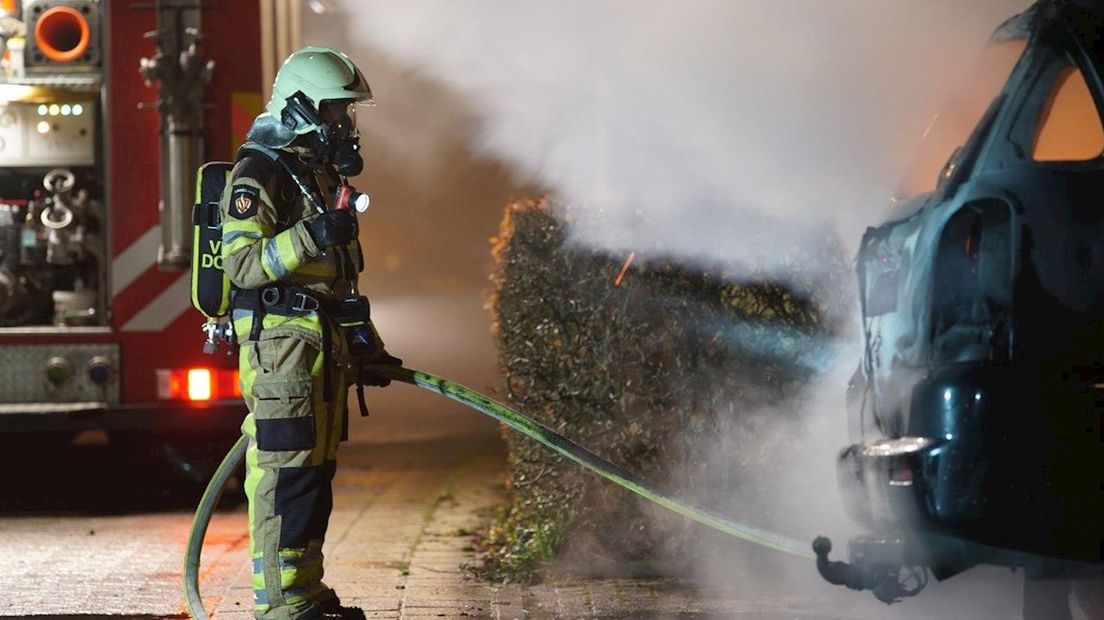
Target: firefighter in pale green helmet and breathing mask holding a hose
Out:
[303,330]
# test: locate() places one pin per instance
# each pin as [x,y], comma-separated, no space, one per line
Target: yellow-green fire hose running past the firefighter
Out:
[517,422]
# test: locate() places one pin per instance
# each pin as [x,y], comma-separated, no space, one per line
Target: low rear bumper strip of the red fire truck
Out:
[216,415]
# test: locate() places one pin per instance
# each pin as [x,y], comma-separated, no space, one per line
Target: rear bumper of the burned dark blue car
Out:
[993,456]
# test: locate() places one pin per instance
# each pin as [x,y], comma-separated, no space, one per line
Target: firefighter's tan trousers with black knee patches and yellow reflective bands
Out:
[293,440]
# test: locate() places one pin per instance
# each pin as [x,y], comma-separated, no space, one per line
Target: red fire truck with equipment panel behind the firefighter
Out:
[108,109]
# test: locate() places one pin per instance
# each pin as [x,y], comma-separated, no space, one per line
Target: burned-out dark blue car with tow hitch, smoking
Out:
[976,412]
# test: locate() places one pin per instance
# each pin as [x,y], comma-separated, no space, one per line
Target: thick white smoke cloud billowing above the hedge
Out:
[699,129]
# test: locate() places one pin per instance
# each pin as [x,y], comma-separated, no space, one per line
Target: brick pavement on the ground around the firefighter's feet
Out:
[402,528]
